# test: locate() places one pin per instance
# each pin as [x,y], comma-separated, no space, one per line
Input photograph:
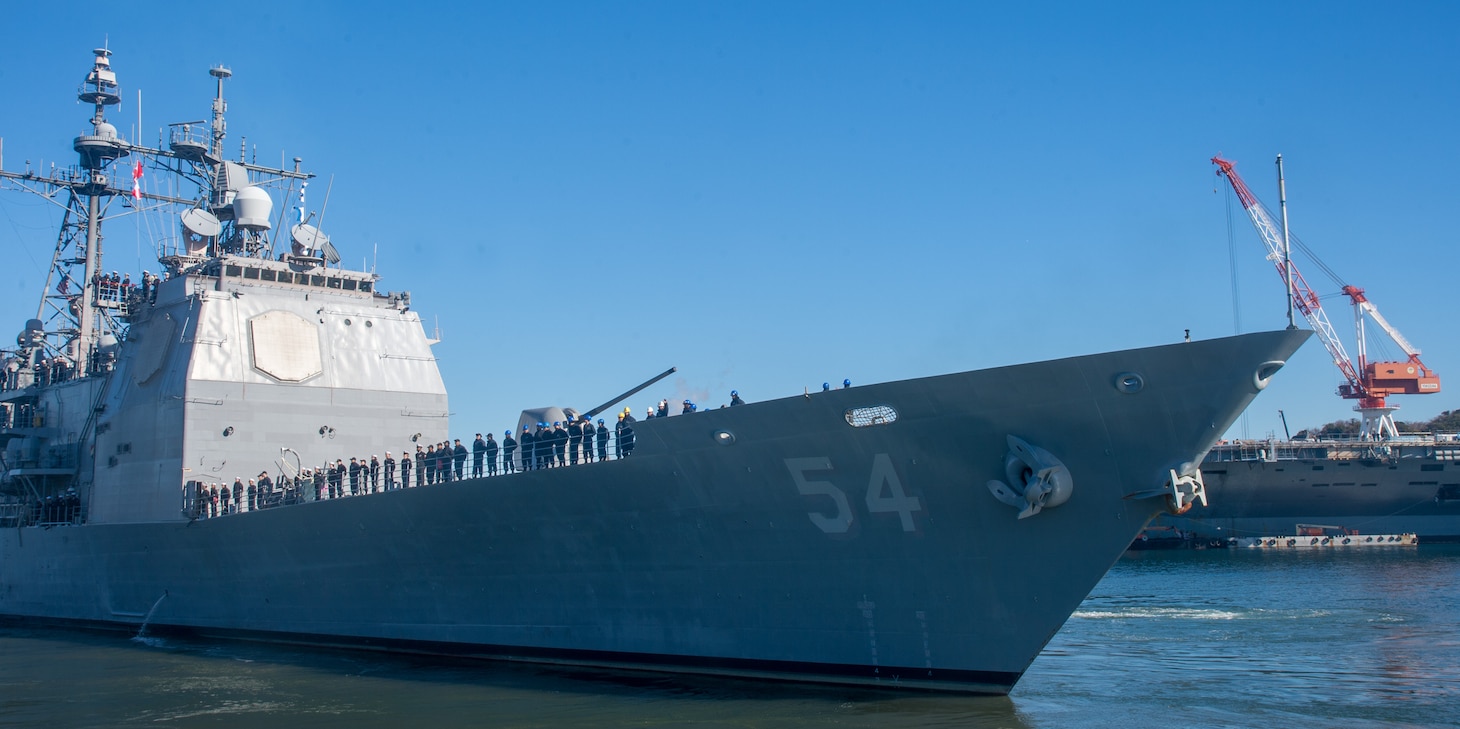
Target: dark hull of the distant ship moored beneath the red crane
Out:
[1398,490]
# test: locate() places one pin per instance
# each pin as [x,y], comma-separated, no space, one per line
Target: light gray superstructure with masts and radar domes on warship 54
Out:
[243,354]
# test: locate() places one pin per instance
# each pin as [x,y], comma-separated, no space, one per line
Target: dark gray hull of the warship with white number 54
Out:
[769,541]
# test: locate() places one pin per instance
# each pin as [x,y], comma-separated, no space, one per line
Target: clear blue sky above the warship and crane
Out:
[776,195]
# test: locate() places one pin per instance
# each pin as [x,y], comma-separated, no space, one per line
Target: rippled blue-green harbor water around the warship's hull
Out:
[1223,638]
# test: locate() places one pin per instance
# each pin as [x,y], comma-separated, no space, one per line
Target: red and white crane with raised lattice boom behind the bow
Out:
[1370,383]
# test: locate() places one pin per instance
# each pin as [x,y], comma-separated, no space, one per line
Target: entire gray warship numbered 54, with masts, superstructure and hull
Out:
[928,534]
